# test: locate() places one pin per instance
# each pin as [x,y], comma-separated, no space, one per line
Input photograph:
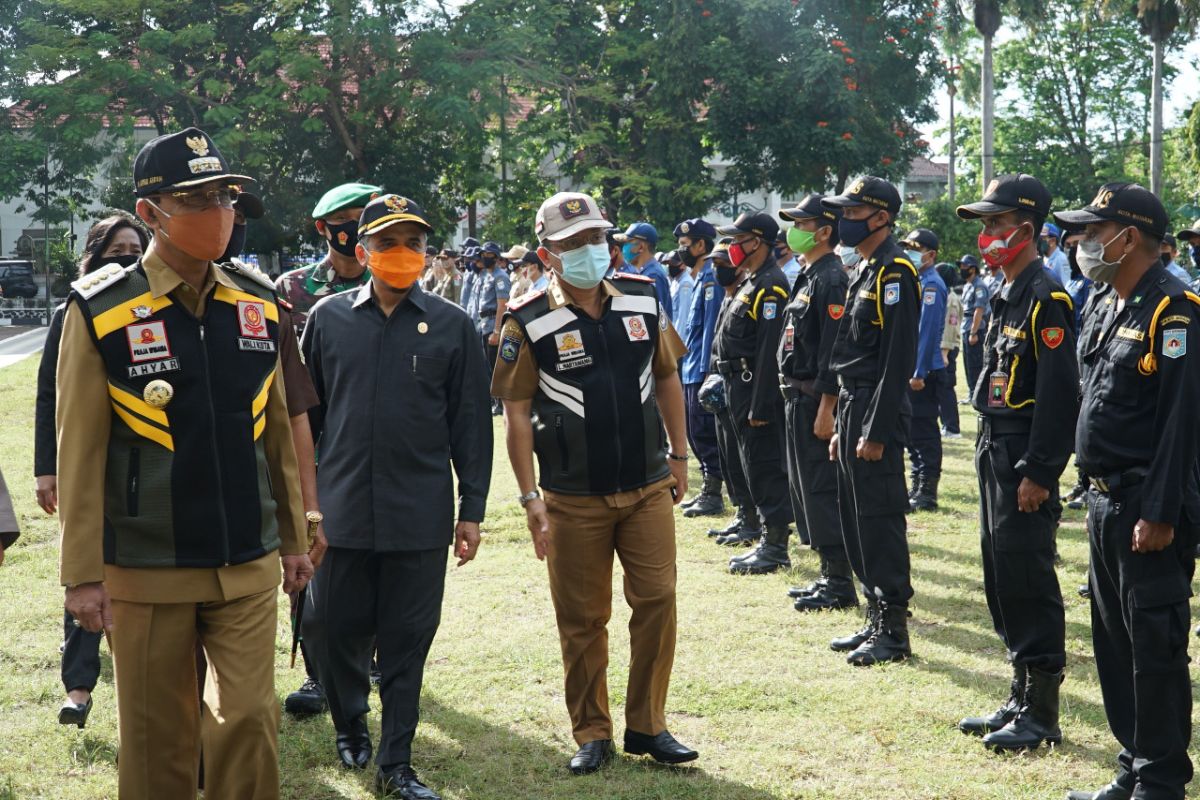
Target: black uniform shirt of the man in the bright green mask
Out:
[811,324]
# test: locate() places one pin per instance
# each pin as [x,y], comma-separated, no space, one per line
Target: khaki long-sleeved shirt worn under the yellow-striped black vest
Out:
[85,420]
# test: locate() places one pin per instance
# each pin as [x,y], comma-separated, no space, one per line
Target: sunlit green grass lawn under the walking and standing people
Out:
[775,713]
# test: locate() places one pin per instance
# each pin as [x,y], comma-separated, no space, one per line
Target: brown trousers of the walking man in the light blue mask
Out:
[585,532]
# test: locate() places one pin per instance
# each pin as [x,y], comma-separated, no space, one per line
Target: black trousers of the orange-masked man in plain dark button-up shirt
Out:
[361,600]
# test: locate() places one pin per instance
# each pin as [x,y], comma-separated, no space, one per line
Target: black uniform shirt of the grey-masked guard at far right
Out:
[1142,394]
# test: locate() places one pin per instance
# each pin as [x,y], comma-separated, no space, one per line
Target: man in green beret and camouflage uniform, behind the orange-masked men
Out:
[337,218]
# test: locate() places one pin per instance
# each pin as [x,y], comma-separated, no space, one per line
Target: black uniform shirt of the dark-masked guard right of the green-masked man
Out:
[878,336]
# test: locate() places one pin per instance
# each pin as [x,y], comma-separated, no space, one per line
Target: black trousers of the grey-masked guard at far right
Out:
[1141,636]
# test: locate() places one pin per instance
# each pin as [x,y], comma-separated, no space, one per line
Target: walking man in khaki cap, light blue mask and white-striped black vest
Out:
[593,362]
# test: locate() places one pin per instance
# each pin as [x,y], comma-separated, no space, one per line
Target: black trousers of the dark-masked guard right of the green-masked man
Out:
[873,501]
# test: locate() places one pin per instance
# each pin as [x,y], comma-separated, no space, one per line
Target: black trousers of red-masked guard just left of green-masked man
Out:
[763,454]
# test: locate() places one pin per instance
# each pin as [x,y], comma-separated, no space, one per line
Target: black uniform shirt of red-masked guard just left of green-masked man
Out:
[749,328]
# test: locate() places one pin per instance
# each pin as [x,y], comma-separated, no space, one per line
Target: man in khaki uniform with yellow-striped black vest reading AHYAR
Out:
[179,492]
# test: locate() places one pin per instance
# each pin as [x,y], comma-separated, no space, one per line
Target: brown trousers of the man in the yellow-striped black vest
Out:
[154,655]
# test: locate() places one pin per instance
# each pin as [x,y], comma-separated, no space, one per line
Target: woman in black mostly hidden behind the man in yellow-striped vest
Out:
[121,240]
